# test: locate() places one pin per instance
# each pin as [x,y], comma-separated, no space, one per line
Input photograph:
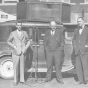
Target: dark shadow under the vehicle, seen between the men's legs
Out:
[68,74]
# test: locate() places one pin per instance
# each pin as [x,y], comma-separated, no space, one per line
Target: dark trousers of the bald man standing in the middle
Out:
[56,57]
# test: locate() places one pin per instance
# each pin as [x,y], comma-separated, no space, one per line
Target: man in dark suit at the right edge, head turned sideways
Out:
[80,43]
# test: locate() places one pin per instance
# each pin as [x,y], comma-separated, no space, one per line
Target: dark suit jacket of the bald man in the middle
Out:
[55,42]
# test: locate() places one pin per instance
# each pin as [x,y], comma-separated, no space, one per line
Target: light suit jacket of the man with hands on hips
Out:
[20,42]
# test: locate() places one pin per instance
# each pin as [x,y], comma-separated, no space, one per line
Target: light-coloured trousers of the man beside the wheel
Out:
[18,67]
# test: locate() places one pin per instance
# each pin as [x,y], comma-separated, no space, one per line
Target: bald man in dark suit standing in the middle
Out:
[54,42]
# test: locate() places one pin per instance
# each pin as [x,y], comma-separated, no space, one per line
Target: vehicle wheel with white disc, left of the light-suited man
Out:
[6,67]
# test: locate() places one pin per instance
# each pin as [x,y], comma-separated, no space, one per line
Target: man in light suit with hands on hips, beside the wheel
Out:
[20,42]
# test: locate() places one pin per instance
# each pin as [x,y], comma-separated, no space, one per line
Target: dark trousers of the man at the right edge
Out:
[82,67]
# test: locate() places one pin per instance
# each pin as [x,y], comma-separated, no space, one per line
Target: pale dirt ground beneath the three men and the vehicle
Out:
[68,78]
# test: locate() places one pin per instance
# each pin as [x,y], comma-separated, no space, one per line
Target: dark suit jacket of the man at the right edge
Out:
[79,41]
